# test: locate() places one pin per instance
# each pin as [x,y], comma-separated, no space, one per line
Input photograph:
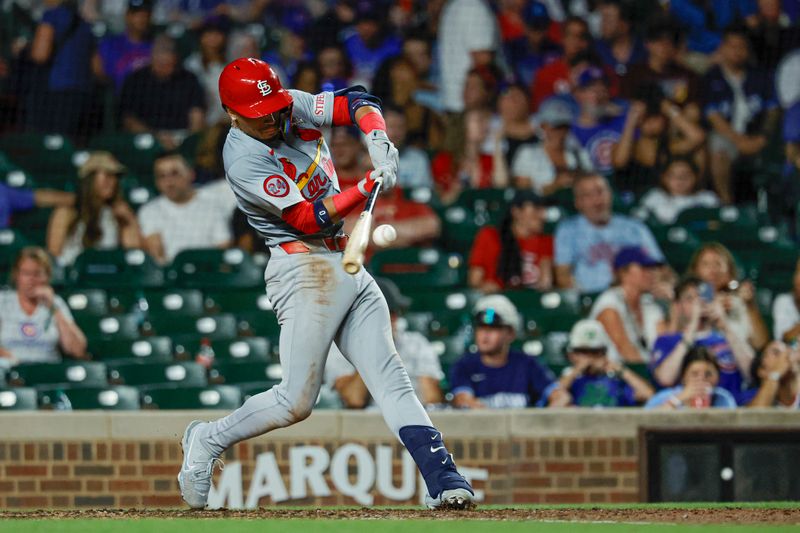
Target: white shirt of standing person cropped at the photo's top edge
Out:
[466,26]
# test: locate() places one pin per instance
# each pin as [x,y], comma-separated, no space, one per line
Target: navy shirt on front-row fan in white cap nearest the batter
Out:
[519,383]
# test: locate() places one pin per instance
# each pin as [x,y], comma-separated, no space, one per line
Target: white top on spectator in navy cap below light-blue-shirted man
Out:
[642,337]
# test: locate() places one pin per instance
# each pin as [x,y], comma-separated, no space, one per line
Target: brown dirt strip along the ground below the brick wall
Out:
[725,515]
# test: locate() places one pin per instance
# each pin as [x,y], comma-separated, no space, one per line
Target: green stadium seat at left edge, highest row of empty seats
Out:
[39,153]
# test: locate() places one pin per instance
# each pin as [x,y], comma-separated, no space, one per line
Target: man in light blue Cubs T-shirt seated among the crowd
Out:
[585,244]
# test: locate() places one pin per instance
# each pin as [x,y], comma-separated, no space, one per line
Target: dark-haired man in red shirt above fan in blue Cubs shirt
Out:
[555,77]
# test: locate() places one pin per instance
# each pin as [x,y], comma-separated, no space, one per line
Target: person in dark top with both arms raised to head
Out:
[655,131]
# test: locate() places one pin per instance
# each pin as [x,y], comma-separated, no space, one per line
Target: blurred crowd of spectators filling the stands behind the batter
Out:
[569,103]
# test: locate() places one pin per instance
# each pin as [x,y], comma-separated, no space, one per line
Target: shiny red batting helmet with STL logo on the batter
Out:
[251,88]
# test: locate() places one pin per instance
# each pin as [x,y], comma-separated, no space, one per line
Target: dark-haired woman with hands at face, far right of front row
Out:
[776,378]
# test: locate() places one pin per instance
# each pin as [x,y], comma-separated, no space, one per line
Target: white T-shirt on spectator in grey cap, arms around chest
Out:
[532,162]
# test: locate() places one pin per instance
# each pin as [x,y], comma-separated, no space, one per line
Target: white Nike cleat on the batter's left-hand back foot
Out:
[198,465]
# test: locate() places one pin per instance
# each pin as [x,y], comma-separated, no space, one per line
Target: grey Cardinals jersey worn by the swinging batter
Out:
[268,178]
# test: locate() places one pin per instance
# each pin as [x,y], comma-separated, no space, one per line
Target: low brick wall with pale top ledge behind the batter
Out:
[568,458]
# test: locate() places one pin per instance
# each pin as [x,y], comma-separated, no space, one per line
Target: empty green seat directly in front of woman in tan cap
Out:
[115,268]
